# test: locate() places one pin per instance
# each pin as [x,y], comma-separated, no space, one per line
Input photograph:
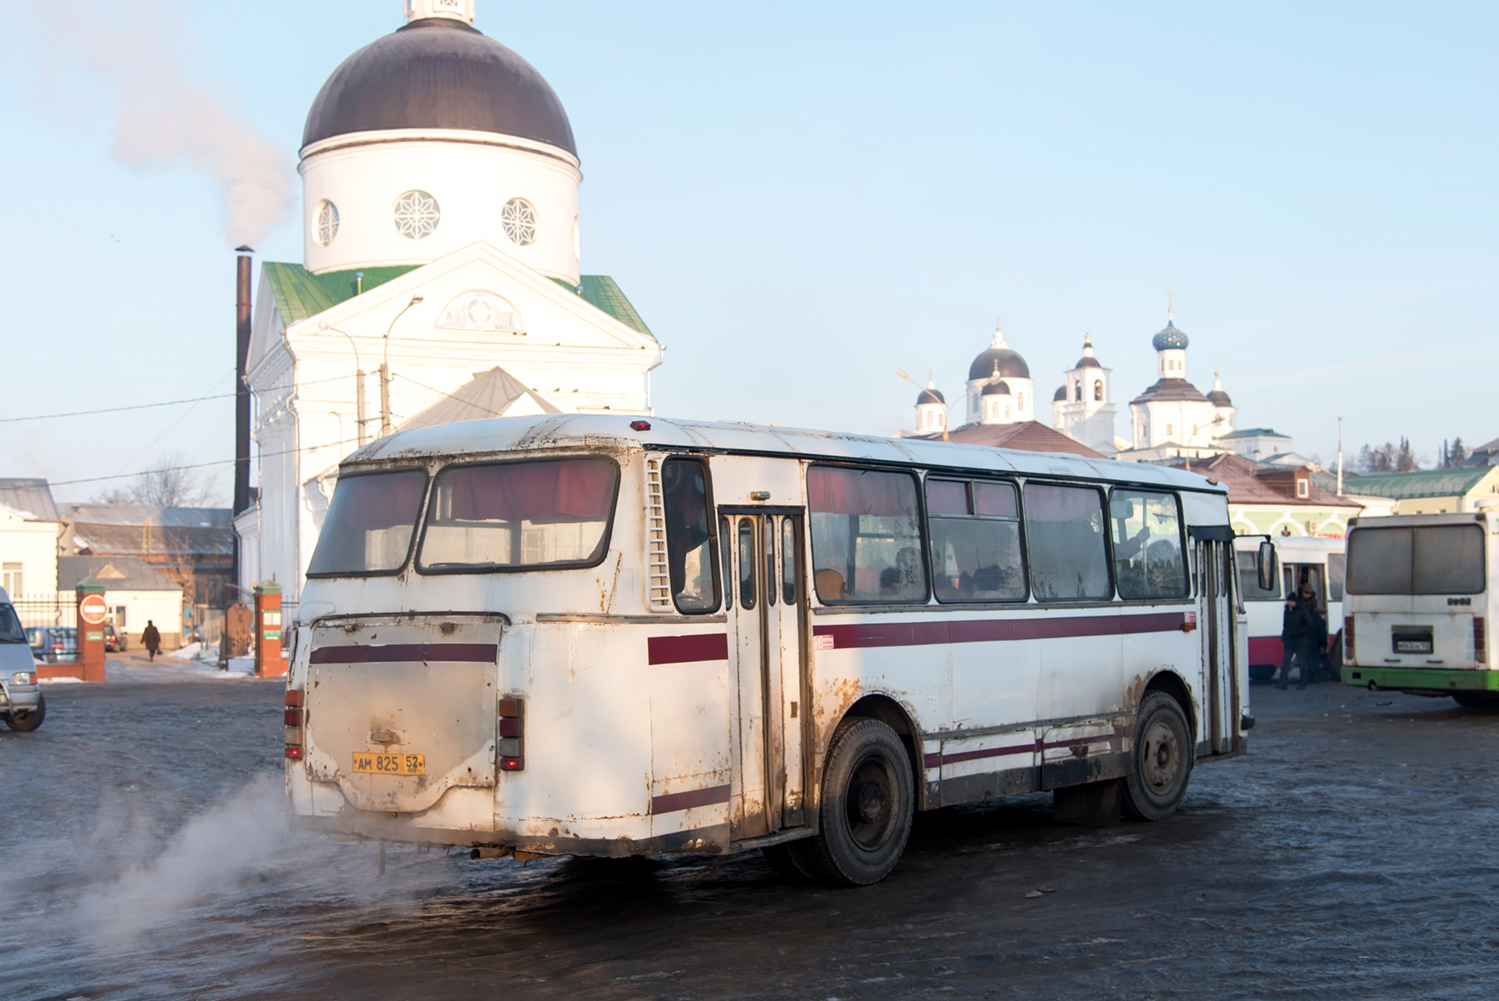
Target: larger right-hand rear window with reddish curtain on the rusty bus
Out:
[519,516]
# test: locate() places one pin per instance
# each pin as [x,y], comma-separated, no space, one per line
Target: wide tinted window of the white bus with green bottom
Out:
[1429,560]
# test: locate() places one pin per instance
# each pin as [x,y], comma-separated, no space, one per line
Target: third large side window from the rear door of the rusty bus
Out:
[1065,543]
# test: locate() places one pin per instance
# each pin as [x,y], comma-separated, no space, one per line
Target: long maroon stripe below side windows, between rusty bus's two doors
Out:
[866,635]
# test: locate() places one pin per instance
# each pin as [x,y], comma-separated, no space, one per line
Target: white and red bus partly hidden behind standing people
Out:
[1305,563]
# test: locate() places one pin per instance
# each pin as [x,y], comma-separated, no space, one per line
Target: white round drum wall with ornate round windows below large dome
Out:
[470,175]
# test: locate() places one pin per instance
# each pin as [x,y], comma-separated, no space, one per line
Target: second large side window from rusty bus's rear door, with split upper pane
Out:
[975,536]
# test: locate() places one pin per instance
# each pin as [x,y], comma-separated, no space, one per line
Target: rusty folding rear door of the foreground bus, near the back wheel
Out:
[767,605]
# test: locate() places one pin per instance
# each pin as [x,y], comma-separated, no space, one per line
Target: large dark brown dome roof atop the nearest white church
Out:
[438,74]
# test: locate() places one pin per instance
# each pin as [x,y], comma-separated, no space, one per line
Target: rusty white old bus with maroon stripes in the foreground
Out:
[608,636]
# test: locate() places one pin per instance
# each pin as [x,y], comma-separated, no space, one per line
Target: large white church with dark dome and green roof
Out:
[441,278]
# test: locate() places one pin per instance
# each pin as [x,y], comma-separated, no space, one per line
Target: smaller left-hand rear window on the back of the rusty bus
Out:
[370,525]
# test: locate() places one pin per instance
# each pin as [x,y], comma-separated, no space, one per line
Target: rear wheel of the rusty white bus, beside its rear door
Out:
[869,802]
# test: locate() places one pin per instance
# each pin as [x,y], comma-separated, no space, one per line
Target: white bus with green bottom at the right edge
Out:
[1419,605]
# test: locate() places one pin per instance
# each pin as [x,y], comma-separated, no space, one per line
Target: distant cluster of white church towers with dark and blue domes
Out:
[1171,419]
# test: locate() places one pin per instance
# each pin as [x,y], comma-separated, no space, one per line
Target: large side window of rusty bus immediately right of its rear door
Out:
[867,542]
